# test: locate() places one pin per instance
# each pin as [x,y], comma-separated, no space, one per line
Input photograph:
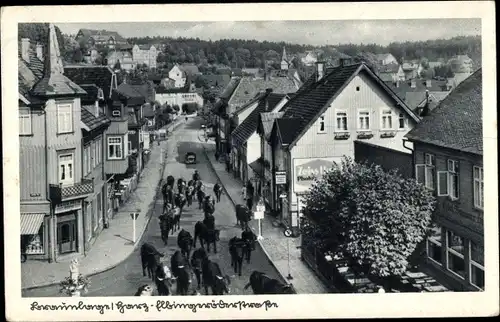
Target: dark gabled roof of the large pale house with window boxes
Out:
[307,105]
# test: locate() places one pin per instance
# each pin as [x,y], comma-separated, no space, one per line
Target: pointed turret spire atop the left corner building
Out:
[53,82]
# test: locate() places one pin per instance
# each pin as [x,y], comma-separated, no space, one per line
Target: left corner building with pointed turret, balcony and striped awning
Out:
[54,131]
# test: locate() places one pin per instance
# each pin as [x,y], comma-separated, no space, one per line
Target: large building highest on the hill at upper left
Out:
[88,38]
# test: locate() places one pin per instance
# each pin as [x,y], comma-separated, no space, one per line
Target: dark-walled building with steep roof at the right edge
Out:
[448,158]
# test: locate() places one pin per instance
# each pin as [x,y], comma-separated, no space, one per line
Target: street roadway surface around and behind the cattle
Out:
[124,279]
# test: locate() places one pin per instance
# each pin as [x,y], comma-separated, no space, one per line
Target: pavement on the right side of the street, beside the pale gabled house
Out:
[276,246]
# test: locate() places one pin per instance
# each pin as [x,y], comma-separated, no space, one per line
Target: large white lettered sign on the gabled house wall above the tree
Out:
[306,171]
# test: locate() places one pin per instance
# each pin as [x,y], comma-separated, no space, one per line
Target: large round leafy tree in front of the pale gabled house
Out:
[372,218]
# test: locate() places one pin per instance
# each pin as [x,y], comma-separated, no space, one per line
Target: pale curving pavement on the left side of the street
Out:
[113,245]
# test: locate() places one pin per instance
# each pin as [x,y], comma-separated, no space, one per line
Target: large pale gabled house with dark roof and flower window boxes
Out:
[332,109]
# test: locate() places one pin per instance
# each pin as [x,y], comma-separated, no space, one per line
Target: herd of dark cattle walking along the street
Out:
[184,263]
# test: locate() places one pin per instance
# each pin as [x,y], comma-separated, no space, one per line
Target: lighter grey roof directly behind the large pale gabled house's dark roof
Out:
[249,87]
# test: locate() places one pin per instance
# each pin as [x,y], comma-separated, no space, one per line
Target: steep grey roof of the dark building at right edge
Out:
[456,123]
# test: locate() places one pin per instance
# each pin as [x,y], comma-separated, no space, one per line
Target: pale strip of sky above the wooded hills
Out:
[331,32]
